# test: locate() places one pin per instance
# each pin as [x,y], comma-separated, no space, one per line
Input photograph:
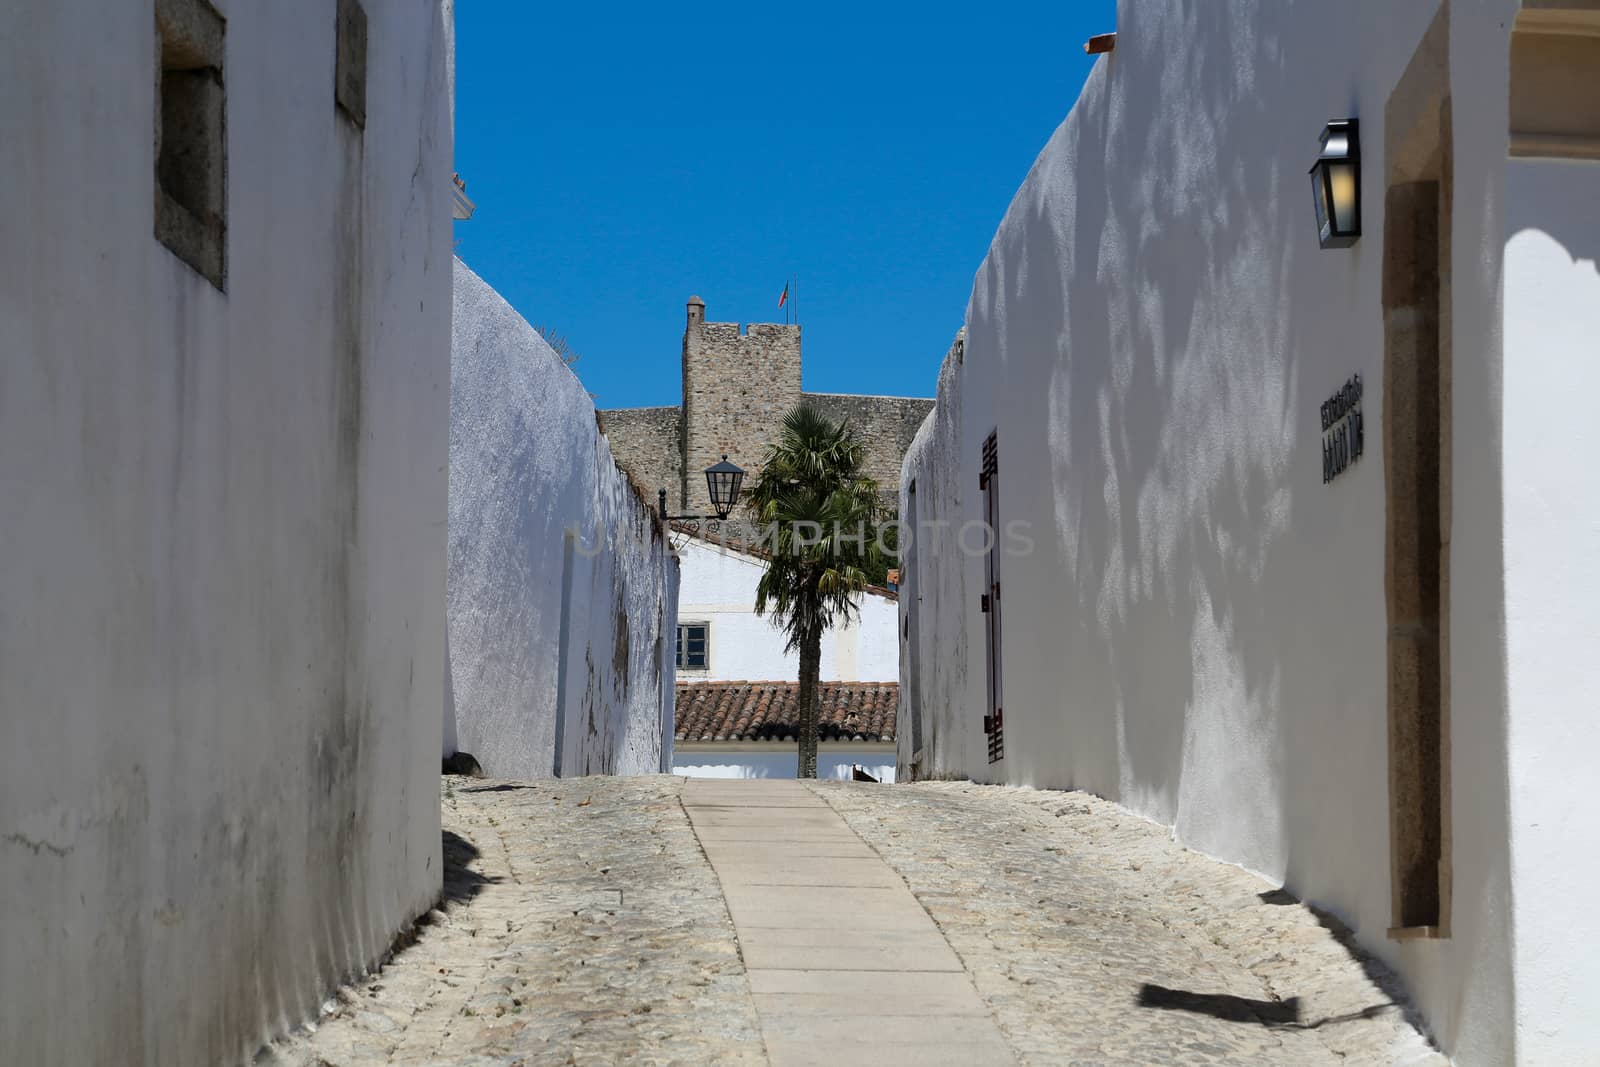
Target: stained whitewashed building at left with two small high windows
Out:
[225,380]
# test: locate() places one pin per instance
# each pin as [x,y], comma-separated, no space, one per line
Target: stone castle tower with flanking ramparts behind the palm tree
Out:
[738,383]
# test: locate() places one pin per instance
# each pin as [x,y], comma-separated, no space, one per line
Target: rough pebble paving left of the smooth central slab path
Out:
[582,925]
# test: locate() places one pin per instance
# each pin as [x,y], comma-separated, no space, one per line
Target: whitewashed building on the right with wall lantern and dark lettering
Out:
[1300,548]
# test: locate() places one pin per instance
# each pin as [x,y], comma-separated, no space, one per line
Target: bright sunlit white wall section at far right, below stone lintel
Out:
[1553,610]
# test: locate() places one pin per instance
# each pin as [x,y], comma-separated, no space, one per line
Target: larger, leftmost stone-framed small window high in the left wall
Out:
[191,130]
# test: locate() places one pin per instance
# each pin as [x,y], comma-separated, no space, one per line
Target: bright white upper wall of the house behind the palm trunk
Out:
[719,588]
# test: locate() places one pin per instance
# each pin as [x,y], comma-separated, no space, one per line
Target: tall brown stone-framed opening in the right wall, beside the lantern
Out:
[1417,482]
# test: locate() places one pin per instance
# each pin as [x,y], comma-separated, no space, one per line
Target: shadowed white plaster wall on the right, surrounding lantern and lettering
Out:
[1201,629]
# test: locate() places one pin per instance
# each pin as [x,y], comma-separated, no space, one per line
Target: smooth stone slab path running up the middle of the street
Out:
[844,962]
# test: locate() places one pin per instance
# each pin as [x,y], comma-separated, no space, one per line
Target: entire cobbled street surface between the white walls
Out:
[583,924]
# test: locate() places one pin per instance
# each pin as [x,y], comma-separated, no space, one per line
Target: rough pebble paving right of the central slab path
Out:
[1097,940]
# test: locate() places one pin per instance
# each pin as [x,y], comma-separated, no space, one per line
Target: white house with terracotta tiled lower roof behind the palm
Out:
[732,666]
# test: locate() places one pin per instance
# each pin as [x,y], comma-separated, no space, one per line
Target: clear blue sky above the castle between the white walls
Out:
[628,156]
